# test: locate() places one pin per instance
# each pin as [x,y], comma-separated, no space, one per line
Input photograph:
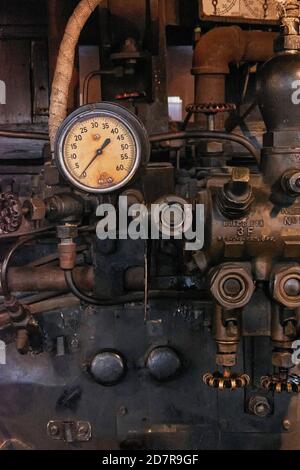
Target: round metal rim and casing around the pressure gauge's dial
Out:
[110,110]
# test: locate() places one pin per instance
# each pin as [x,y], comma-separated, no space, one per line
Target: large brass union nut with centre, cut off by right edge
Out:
[285,286]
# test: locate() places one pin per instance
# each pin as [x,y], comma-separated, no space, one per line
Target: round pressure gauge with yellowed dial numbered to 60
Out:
[100,147]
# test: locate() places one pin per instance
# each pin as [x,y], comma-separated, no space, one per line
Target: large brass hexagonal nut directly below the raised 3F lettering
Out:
[232,285]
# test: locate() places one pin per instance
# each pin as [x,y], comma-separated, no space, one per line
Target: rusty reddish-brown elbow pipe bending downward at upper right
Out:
[217,49]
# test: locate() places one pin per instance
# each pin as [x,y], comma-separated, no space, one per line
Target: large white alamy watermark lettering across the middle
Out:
[166,220]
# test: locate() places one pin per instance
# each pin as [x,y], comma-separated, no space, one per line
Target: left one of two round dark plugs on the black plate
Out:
[108,367]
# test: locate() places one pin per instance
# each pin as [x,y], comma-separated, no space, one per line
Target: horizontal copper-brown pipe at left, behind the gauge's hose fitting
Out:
[47,278]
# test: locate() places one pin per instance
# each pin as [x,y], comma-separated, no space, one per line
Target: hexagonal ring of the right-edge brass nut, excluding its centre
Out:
[280,277]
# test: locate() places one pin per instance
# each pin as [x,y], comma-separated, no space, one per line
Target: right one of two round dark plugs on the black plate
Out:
[163,363]
